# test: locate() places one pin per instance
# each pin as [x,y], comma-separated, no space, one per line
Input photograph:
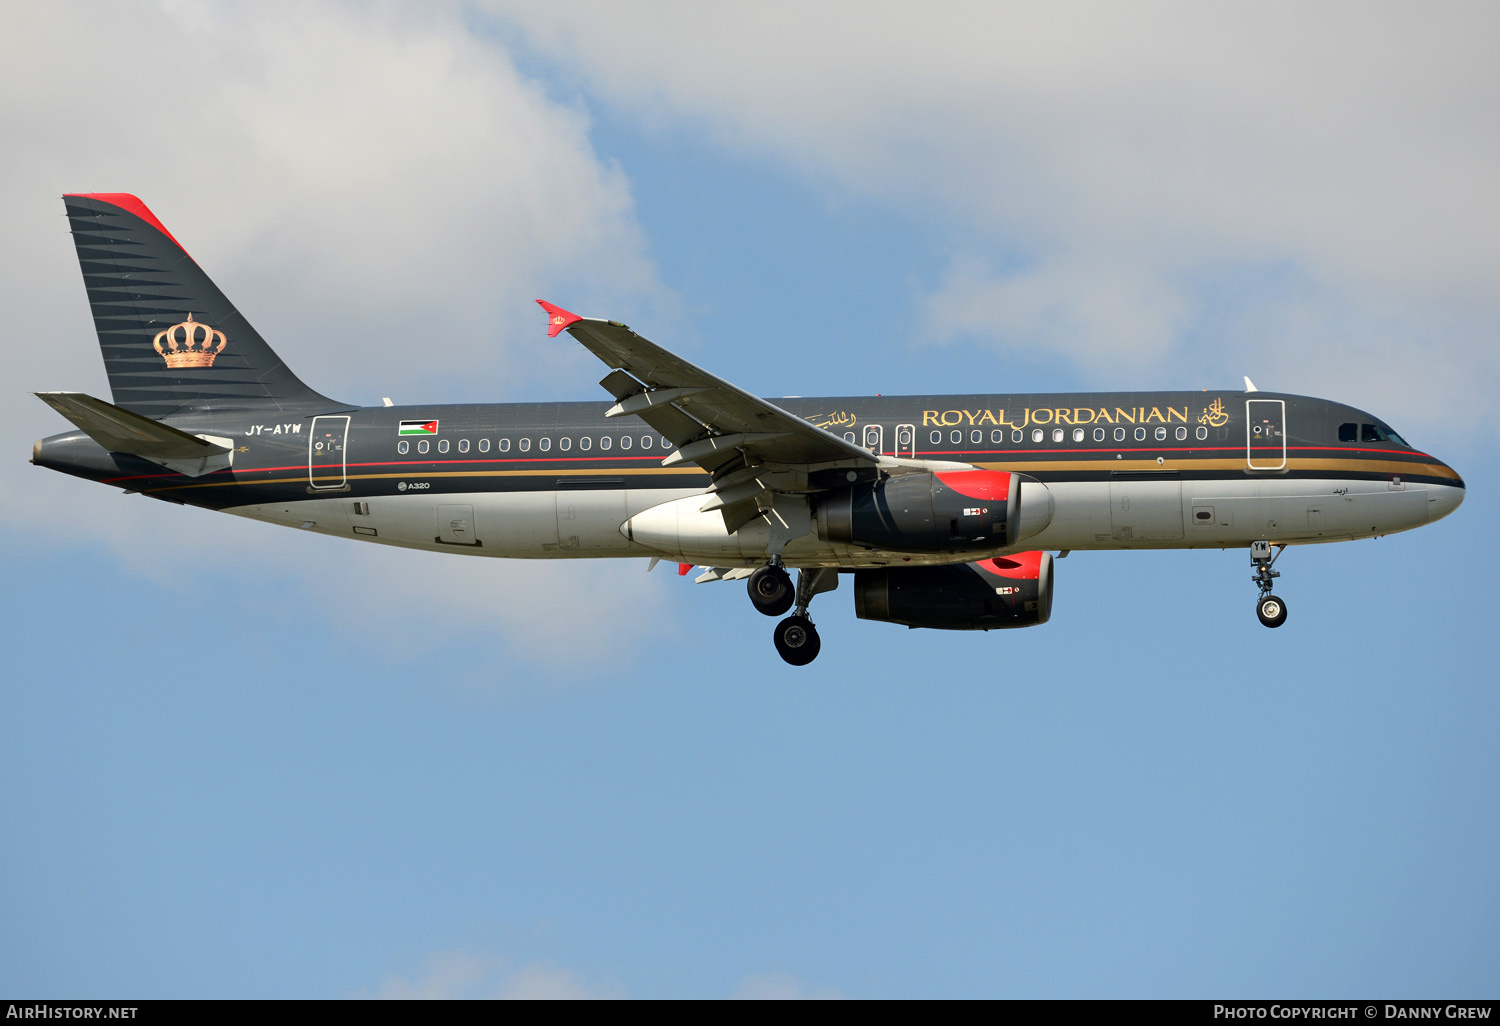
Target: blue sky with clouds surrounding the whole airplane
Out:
[244,761]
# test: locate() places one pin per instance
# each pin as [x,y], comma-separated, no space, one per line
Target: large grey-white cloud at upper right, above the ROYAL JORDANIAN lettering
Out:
[1129,170]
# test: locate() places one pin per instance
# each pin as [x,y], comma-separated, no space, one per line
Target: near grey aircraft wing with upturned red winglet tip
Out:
[749,446]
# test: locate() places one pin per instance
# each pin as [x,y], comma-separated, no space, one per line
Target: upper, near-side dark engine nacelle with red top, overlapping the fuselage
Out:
[937,512]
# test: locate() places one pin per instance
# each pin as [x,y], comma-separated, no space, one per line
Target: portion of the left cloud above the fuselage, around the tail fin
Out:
[382,193]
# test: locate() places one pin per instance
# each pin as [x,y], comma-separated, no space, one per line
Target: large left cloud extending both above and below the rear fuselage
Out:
[383,196]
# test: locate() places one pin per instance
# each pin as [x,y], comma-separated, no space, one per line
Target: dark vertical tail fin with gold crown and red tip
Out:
[172,341]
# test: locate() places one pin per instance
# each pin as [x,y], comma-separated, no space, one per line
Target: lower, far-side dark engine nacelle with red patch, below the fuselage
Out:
[1007,592]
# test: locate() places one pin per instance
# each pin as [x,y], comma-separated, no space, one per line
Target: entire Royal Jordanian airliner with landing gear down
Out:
[943,511]
